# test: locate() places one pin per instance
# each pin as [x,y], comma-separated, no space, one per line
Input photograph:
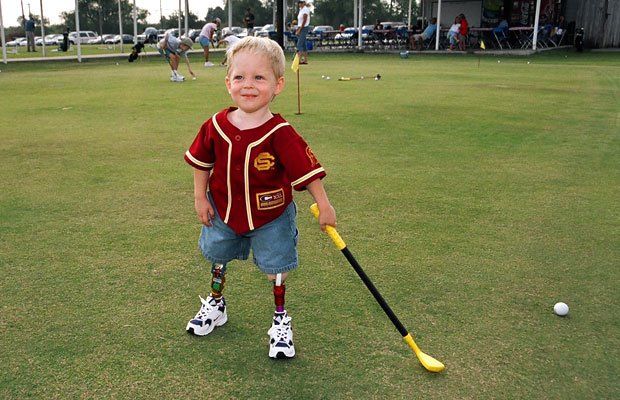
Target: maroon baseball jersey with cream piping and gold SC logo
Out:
[253,171]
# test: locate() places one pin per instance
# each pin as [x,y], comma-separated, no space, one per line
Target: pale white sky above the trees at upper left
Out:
[11,9]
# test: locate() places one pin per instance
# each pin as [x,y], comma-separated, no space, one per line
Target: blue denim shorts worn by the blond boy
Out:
[274,245]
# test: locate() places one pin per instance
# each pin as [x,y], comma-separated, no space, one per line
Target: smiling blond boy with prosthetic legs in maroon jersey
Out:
[246,162]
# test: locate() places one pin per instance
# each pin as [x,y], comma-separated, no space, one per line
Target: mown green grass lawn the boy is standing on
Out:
[475,198]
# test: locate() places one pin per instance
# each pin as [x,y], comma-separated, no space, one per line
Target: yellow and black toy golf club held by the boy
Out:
[427,361]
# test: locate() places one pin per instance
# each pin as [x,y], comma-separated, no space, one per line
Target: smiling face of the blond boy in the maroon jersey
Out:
[251,82]
